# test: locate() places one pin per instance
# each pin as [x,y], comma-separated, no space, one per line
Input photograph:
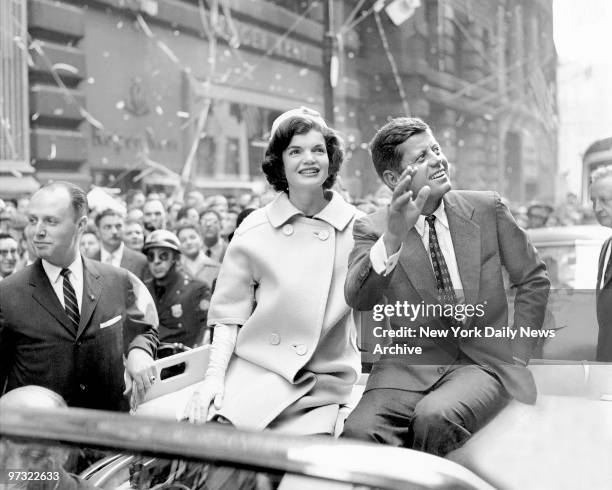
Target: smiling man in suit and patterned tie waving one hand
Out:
[432,248]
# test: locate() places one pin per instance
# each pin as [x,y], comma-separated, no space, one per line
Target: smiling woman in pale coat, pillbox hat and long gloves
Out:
[284,354]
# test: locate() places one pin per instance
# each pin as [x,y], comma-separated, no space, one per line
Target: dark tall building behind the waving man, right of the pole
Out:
[482,74]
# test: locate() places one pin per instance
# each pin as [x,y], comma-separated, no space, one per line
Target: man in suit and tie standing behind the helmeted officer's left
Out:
[112,249]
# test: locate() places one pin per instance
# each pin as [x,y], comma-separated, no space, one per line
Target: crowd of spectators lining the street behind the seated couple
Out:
[205,224]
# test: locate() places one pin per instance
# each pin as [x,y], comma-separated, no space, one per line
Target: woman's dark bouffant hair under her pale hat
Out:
[272,165]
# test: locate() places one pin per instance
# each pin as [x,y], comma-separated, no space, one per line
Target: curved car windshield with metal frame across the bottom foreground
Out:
[138,452]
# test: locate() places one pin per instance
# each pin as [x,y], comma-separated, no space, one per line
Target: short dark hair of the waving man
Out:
[383,146]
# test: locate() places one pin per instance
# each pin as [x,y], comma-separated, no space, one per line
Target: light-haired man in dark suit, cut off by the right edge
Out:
[601,197]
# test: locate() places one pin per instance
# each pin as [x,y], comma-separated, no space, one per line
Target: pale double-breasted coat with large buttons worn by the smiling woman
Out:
[282,279]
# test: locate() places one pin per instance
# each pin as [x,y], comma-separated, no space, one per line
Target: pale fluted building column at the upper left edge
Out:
[14,124]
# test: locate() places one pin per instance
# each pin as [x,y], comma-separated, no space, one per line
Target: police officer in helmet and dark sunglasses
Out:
[182,303]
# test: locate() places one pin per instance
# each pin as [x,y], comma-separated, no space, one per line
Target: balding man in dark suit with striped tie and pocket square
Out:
[71,324]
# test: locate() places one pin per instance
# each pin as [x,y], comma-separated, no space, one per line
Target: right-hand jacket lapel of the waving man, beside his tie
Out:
[465,234]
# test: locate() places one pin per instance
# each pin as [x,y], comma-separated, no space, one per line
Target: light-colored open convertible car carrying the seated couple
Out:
[564,441]
